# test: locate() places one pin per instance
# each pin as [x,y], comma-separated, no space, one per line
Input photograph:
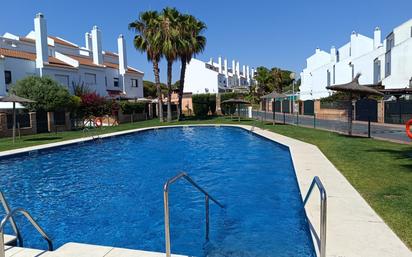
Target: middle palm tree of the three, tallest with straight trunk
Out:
[170,42]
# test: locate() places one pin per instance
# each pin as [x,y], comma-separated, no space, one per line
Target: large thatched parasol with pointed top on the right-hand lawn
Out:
[354,88]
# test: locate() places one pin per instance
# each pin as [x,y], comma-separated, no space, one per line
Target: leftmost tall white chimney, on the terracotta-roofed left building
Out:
[42,48]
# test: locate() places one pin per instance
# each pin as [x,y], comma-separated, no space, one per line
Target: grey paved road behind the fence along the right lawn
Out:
[390,132]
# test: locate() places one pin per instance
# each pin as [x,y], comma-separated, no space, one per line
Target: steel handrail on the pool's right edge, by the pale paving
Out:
[323,212]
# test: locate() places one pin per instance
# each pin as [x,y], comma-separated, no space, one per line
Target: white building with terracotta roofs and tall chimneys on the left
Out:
[44,55]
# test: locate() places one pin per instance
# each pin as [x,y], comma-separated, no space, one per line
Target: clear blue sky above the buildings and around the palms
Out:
[256,33]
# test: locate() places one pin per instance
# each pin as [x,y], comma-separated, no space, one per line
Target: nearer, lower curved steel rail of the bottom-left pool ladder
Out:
[31,220]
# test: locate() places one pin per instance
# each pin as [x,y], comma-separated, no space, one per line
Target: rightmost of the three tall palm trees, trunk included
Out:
[193,43]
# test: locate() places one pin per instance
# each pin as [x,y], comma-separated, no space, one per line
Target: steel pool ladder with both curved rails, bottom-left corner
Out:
[10,217]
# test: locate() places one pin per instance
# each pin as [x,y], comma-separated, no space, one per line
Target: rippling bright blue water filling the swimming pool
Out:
[111,193]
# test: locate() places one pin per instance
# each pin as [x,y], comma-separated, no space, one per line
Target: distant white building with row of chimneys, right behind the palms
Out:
[212,77]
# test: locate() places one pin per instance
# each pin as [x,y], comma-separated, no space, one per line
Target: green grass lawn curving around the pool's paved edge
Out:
[380,171]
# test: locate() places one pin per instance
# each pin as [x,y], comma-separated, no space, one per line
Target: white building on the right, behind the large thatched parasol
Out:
[388,62]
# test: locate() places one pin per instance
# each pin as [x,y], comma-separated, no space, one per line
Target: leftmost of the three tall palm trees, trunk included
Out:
[148,39]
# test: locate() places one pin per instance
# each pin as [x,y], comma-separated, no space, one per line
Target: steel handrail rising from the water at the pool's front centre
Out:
[166,206]
